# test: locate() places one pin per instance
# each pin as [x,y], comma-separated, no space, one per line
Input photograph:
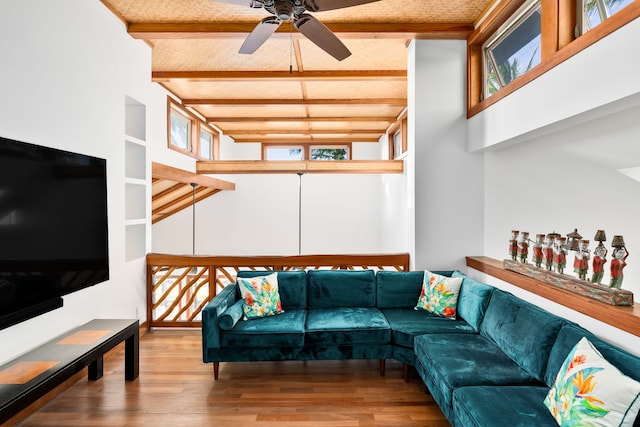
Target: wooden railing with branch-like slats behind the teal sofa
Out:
[179,287]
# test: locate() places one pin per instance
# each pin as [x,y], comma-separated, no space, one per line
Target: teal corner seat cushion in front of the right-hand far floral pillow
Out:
[407,323]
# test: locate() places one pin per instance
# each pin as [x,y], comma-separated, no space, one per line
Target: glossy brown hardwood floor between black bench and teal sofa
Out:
[176,389]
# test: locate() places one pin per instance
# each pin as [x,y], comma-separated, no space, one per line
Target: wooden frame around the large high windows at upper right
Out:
[558,44]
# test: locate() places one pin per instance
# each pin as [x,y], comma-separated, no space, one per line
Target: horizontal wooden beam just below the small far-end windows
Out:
[304,166]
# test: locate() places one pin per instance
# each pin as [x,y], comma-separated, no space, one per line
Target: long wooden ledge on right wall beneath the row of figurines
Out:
[626,318]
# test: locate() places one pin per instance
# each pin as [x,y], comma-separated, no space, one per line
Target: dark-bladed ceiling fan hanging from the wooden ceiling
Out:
[309,26]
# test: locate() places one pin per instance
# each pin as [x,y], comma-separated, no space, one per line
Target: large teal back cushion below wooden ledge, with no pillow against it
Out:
[523,331]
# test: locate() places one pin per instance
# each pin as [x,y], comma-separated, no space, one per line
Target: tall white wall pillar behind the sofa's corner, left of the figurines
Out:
[448,180]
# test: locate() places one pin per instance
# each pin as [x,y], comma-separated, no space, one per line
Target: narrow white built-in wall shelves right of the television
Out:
[135,179]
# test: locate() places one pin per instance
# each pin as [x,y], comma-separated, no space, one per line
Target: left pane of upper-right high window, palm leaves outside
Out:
[514,49]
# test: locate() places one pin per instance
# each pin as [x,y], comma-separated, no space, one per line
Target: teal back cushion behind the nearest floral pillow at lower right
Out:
[570,334]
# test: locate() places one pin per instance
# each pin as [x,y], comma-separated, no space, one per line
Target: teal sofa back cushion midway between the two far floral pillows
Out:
[341,288]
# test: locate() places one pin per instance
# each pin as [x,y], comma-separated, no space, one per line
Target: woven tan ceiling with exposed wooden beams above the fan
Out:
[255,98]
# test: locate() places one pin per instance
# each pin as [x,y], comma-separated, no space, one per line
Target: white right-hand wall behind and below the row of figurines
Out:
[553,153]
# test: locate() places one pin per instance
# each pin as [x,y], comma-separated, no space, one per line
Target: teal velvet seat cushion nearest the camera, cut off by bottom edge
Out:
[513,406]
